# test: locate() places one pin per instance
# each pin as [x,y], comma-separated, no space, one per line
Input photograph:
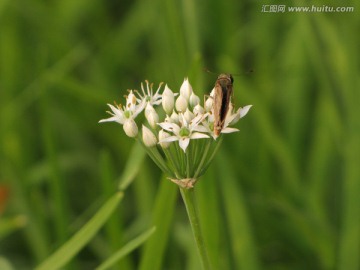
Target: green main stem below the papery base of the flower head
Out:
[189,200]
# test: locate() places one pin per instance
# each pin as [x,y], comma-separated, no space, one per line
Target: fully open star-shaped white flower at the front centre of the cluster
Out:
[187,131]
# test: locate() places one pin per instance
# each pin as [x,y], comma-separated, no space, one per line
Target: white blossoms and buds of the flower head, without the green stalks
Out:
[185,118]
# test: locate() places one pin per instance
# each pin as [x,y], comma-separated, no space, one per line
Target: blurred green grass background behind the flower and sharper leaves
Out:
[281,194]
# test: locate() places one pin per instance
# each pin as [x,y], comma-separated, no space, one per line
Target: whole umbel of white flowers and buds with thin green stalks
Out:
[179,135]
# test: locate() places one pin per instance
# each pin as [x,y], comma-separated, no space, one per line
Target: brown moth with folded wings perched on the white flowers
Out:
[222,94]
